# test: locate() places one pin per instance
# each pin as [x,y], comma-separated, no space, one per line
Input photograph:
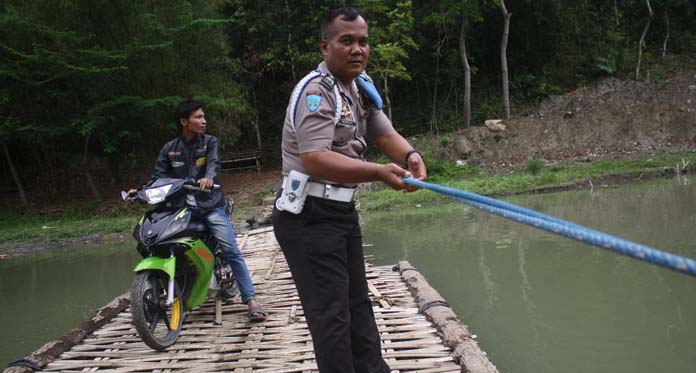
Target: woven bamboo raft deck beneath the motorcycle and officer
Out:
[419,332]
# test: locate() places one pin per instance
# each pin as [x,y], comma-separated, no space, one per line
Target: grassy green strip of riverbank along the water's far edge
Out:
[37,234]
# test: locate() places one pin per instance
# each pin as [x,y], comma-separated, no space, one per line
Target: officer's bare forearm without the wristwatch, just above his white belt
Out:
[338,168]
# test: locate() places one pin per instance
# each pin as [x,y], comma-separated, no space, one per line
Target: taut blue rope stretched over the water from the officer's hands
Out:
[564,228]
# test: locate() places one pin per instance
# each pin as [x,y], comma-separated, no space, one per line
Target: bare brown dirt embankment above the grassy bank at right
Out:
[610,118]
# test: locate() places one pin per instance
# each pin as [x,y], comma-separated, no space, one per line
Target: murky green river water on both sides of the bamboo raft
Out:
[538,302]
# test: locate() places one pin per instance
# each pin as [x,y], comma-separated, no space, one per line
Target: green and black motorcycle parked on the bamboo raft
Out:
[183,265]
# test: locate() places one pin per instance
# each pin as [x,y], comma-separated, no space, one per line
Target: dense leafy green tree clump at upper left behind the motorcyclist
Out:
[102,75]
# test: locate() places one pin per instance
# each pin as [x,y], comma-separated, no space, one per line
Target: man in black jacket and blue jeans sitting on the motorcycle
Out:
[194,154]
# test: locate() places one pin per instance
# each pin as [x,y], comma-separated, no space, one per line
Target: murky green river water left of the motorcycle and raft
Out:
[44,296]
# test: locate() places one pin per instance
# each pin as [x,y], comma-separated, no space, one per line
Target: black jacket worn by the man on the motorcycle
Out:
[197,159]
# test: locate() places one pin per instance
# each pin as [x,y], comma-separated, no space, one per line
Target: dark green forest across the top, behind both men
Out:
[91,83]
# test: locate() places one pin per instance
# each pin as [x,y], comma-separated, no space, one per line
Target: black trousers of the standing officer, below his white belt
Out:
[323,248]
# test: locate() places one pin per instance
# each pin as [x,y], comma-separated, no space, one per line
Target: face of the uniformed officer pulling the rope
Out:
[346,50]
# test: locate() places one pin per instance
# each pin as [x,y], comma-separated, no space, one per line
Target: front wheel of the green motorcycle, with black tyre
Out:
[157,323]
